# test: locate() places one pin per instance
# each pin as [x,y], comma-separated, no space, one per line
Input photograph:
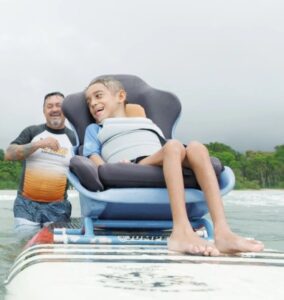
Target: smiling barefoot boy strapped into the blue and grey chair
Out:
[106,99]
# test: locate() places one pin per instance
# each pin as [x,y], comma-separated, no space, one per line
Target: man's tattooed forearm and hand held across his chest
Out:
[21,152]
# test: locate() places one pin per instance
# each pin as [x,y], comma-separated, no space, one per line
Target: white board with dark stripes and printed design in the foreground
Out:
[141,272]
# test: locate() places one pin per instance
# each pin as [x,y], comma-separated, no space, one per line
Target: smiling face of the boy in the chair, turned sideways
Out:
[104,103]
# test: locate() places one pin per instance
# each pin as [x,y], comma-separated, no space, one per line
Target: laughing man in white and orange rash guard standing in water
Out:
[45,150]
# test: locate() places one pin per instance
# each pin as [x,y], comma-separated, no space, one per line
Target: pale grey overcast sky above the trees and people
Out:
[223,59]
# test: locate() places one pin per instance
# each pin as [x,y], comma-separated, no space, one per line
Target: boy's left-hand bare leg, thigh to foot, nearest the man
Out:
[183,238]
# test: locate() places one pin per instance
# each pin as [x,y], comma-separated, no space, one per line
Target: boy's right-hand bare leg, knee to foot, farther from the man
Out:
[197,158]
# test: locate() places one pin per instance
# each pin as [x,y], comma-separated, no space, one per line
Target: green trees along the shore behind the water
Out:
[253,169]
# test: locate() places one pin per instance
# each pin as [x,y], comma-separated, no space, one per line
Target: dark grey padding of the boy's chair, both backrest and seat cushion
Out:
[162,107]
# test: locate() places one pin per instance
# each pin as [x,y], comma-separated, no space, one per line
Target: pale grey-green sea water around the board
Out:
[258,214]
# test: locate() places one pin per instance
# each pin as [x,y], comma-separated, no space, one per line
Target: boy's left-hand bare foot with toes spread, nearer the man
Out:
[191,243]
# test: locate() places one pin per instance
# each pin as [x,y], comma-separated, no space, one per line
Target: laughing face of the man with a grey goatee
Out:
[53,113]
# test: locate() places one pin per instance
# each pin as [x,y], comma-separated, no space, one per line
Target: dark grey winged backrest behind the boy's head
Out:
[160,106]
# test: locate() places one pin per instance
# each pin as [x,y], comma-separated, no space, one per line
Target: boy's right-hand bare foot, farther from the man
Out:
[230,243]
